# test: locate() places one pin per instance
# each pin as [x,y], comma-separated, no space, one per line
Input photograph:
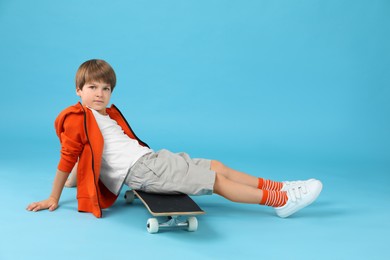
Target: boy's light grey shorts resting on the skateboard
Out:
[167,172]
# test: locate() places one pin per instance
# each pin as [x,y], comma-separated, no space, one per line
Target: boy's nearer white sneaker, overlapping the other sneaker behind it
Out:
[300,196]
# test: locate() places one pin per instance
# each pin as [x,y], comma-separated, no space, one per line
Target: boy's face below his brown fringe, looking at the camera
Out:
[95,95]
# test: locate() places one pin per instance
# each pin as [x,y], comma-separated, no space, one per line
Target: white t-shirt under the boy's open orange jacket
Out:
[120,152]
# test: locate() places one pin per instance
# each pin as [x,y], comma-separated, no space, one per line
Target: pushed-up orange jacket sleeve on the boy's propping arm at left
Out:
[70,130]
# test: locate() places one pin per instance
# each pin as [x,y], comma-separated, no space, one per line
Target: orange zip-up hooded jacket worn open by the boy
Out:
[81,140]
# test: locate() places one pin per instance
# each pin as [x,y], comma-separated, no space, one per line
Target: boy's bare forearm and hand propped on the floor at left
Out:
[52,202]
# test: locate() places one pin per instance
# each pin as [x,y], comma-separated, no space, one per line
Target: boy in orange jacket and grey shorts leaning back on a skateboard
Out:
[109,154]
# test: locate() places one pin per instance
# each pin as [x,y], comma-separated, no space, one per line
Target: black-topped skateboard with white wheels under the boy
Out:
[179,209]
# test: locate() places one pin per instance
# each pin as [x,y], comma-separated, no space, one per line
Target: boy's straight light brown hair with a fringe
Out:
[95,71]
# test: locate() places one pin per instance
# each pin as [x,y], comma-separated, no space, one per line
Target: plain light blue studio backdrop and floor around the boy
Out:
[281,89]
